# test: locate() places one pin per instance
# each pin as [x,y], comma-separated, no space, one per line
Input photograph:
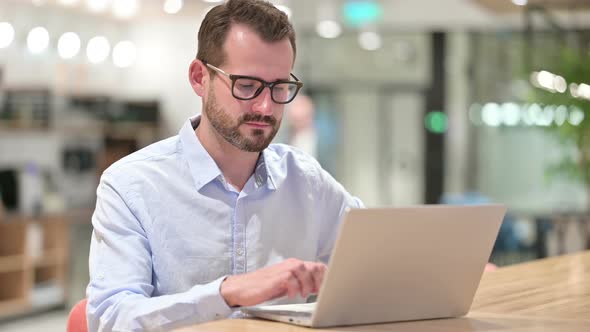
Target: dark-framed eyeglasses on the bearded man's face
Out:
[248,87]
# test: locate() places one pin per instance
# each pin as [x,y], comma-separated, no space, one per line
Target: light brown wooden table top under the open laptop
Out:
[546,295]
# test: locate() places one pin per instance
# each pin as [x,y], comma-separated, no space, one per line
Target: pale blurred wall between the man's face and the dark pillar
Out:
[377,103]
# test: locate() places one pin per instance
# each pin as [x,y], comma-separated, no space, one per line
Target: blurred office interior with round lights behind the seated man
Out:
[410,102]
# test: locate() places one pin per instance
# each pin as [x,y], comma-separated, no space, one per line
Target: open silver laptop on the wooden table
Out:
[399,264]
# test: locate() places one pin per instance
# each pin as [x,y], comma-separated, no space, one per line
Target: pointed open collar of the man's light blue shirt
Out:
[204,169]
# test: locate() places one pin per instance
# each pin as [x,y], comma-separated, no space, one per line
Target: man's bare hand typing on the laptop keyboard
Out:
[291,277]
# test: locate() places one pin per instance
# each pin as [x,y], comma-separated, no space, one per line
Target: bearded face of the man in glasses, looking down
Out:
[249,125]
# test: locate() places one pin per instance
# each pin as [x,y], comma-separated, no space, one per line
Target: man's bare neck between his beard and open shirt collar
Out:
[236,165]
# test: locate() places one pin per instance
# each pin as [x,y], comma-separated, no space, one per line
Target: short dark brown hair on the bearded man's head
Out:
[270,23]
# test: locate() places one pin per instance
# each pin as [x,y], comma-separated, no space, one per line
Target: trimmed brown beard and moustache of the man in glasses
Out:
[253,141]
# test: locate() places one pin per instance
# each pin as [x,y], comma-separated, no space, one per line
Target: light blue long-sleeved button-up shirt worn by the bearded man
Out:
[168,229]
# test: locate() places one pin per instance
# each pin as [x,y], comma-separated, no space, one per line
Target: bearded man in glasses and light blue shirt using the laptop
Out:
[215,217]
